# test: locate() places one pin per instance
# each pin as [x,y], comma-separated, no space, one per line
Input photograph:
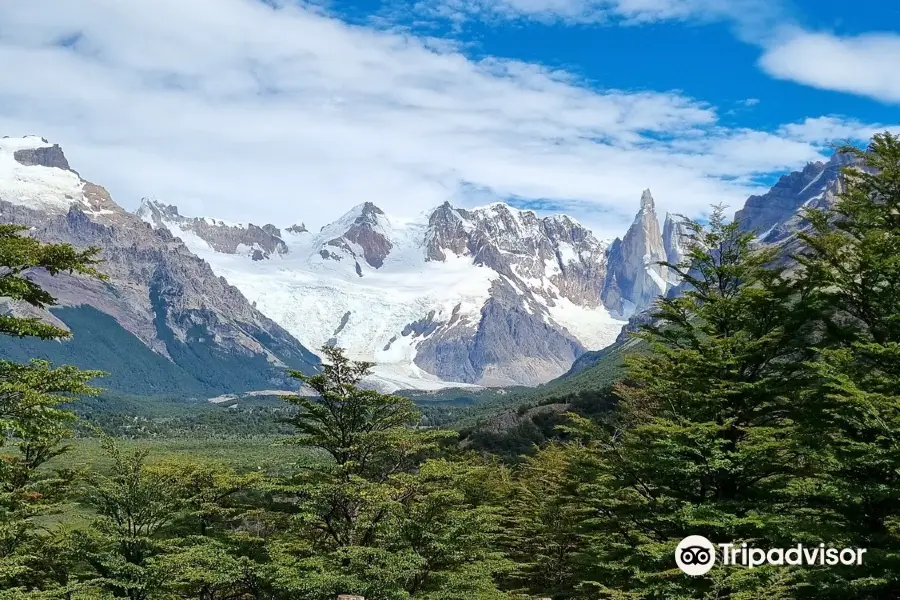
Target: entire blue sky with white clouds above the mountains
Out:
[275,111]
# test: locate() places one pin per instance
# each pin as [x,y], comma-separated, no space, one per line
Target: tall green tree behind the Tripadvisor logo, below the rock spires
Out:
[704,441]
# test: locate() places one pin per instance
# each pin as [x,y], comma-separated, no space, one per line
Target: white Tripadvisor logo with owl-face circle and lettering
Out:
[696,555]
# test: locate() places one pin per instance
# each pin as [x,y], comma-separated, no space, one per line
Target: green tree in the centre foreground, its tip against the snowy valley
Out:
[377,515]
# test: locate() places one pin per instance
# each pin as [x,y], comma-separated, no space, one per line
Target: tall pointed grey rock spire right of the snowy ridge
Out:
[634,279]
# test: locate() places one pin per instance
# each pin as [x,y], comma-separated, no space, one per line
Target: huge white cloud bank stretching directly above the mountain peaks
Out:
[232,109]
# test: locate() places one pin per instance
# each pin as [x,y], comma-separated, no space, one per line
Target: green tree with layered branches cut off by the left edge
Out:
[32,423]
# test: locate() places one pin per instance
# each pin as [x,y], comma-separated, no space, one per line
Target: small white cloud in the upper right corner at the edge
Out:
[866,65]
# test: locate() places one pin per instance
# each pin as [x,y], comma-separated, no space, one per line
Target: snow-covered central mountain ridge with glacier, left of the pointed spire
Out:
[463,272]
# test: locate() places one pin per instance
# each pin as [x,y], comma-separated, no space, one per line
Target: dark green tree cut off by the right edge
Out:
[852,417]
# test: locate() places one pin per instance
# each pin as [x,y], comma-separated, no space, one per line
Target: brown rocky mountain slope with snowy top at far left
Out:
[158,291]
